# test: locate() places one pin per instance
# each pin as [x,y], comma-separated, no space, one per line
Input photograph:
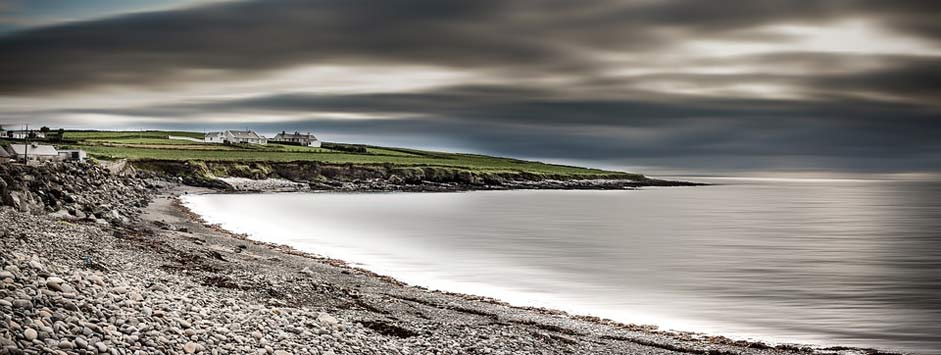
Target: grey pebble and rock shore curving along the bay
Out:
[173,284]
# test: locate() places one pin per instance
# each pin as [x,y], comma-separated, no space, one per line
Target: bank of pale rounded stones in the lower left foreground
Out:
[49,307]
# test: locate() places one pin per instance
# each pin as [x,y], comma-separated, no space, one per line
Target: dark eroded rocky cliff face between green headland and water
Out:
[327,176]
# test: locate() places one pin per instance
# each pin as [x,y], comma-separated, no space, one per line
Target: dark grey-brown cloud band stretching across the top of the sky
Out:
[247,37]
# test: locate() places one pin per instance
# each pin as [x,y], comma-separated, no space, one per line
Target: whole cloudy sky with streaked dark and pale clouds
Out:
[661,87]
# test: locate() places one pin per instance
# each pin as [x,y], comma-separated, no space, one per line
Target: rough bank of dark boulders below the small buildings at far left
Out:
[72,190]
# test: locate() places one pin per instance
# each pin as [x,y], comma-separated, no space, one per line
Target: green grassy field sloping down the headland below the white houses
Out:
[110,145]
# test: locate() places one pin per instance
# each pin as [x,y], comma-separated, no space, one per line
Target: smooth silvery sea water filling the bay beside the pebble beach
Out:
[830,262]
